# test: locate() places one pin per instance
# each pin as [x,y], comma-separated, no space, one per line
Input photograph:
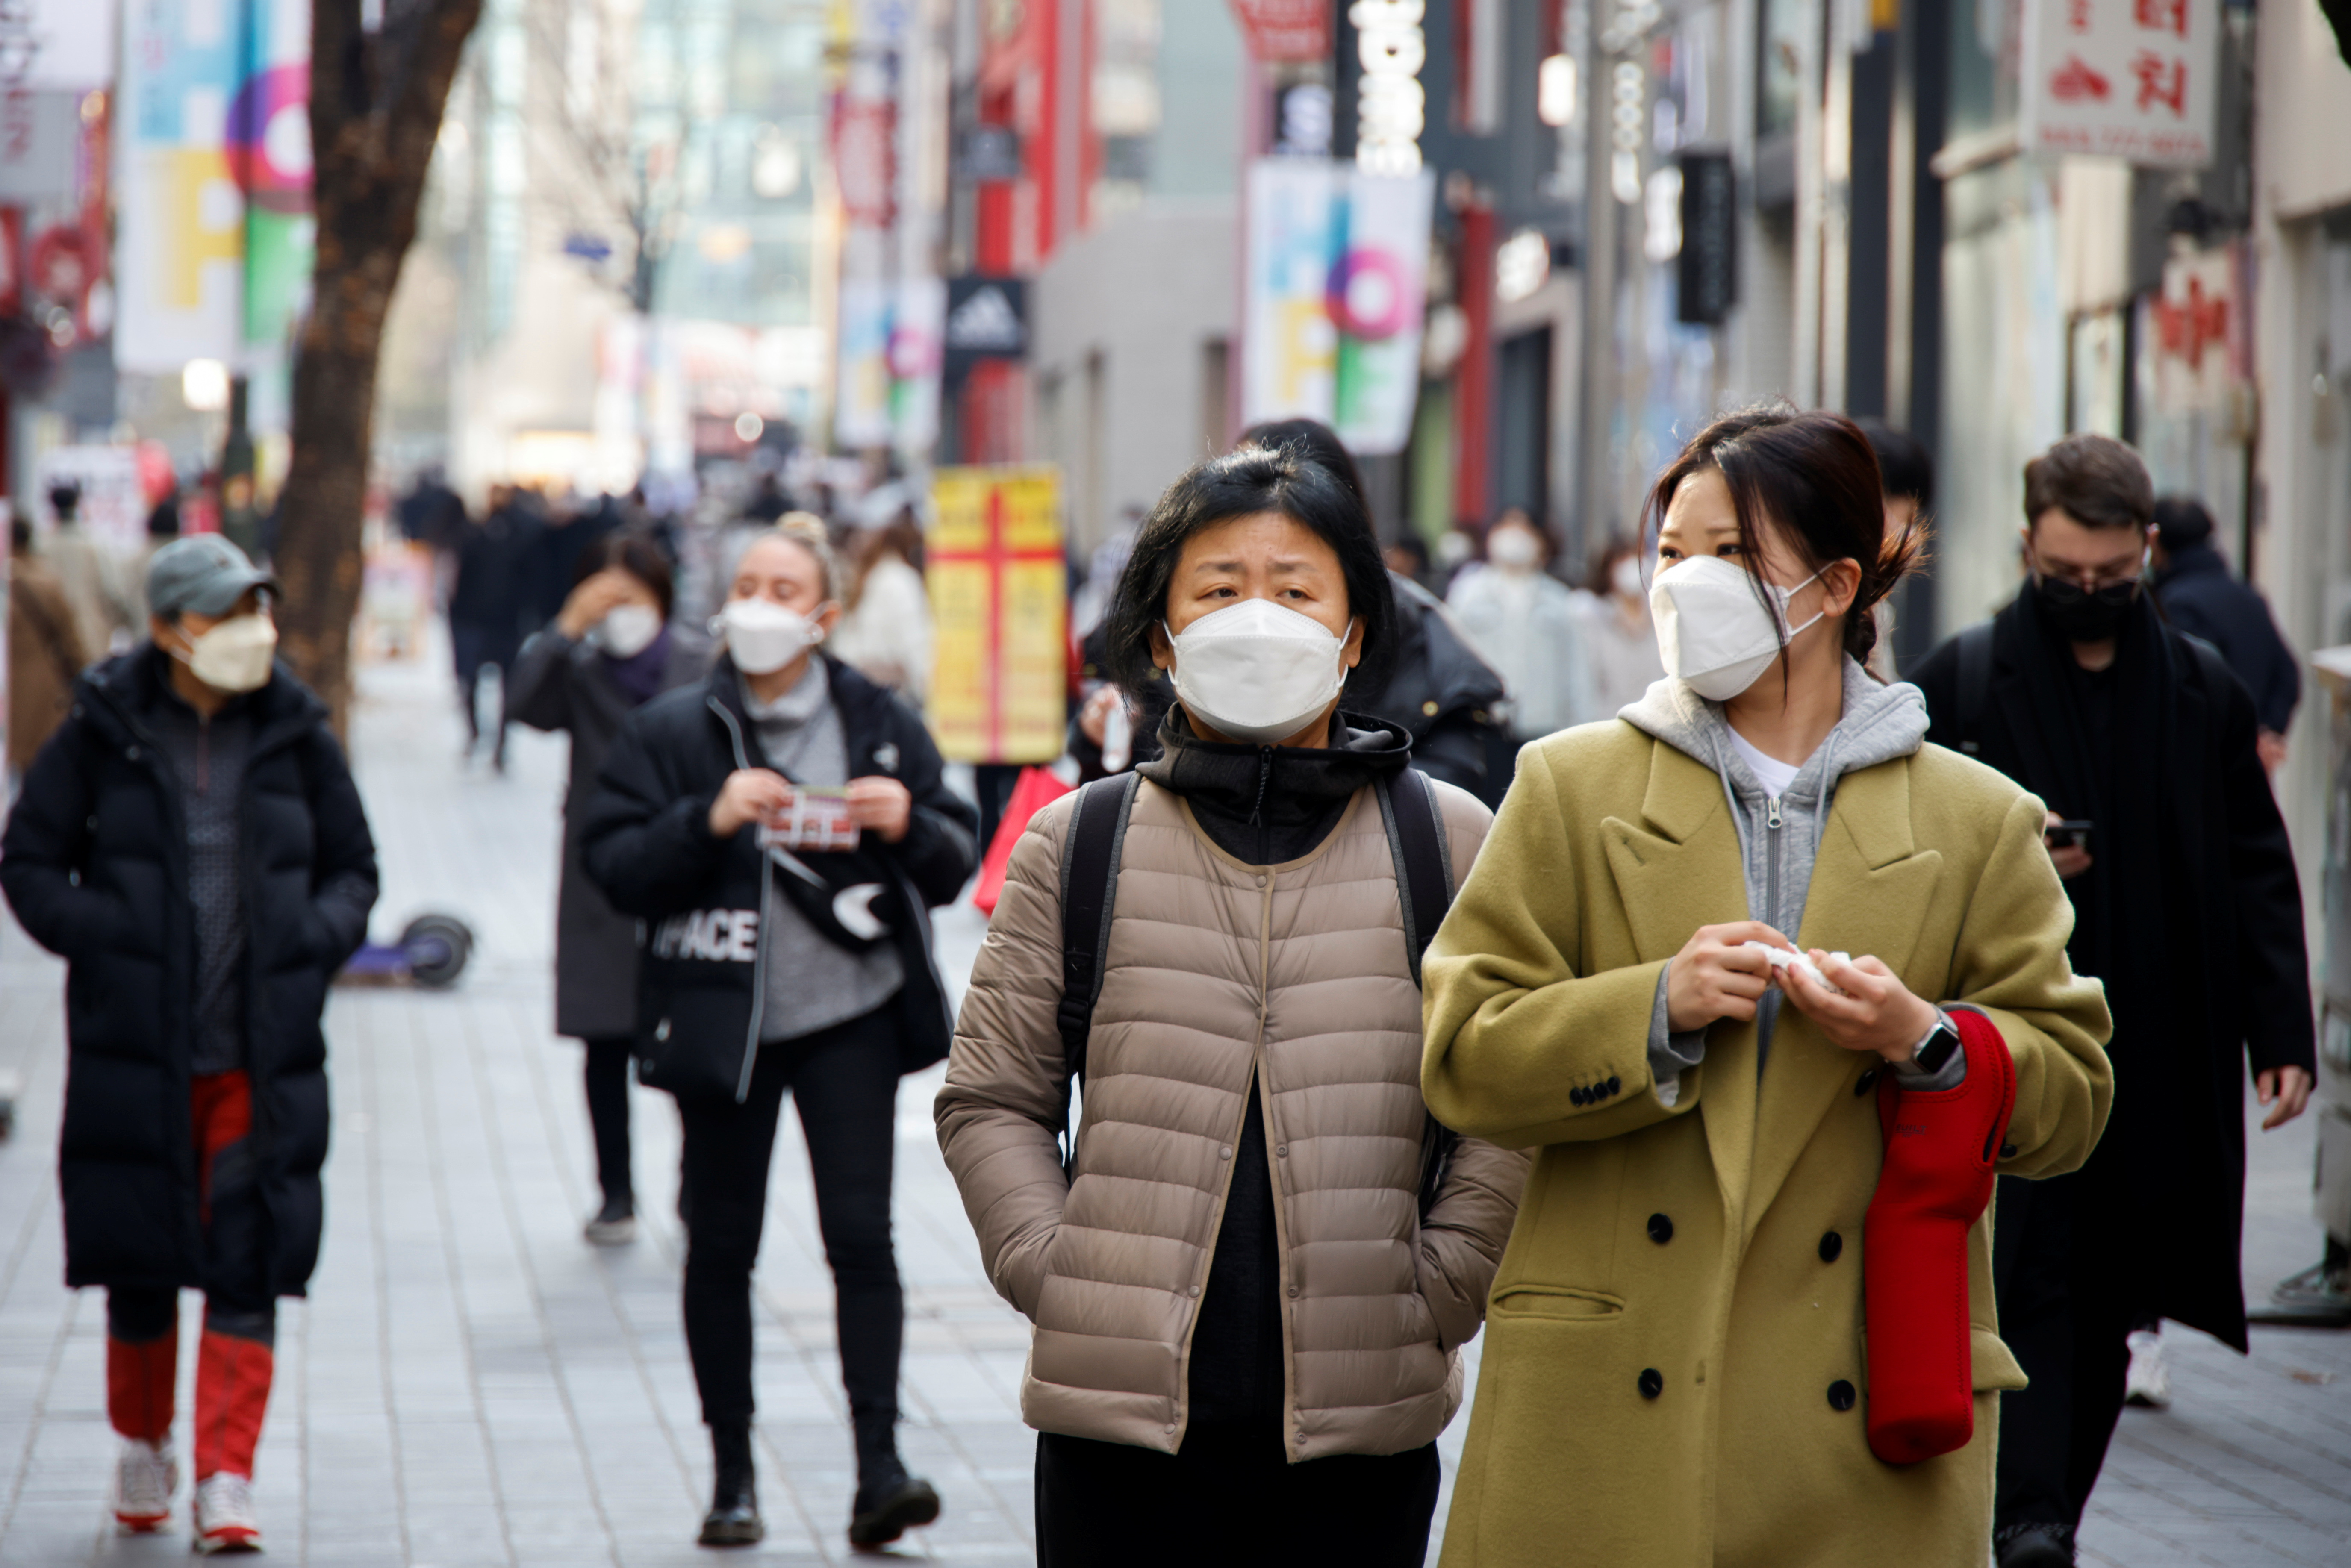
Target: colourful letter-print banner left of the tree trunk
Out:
[213,250]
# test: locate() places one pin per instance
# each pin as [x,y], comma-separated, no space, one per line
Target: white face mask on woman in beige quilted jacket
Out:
[1259,674]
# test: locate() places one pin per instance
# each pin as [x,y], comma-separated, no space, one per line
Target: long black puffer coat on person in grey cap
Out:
[95,864]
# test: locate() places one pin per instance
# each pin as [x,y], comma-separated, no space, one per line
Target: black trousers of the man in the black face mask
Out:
[2068,1322]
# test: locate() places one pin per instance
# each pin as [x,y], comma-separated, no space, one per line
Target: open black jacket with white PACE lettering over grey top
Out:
[645,840]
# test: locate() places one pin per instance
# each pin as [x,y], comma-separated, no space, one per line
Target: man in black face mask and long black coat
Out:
[2143,746]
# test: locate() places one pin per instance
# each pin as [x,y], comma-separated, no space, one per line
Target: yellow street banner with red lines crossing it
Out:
[1000,596]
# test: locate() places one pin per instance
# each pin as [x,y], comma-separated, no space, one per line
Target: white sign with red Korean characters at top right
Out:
[2122,79]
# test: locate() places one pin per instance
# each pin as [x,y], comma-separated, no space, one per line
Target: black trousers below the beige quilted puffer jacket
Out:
[1231,1501]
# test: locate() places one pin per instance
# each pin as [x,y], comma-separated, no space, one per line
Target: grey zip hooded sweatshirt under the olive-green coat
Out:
[1779,836]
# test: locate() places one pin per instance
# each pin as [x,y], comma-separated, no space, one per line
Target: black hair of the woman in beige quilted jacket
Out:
[1235,485]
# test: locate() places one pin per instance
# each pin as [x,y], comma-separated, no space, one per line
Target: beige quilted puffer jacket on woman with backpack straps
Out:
[1214,970]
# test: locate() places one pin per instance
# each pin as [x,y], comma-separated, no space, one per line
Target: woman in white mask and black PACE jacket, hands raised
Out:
[772,967]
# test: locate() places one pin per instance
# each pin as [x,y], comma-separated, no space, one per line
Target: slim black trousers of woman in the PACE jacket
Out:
[848,1087]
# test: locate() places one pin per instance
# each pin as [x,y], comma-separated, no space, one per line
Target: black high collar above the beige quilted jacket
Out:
[1273,803]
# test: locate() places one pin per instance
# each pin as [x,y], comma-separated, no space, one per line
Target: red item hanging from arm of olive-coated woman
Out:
[1941,1158]
